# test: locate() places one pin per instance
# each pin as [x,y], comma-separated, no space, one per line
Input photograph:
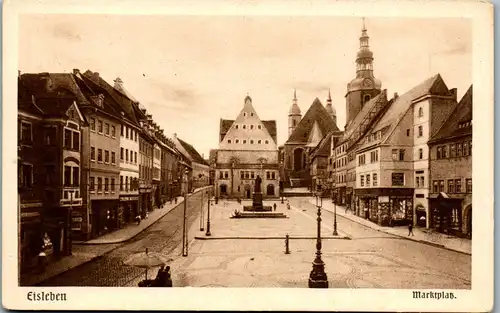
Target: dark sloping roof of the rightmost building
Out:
[462,113]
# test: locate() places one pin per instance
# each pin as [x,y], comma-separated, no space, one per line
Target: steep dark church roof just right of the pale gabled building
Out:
[315,113]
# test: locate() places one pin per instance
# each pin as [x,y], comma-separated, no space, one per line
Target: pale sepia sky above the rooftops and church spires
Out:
[191,71]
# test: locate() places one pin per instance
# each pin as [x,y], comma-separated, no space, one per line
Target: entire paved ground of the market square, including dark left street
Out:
[371,259]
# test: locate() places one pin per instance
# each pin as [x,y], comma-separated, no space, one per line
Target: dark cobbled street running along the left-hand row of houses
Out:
[108,270]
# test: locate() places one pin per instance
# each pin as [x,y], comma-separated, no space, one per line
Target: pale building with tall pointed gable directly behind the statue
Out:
[247,149]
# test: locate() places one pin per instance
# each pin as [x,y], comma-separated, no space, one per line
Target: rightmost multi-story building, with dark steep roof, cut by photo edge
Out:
[450,172]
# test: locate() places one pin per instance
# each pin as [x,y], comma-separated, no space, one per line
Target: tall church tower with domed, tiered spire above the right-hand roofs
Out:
[365,86]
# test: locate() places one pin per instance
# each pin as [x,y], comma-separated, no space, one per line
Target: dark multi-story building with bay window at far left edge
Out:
[50,126]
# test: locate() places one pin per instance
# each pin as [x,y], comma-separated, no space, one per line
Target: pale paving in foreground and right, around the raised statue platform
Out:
[369,260]
